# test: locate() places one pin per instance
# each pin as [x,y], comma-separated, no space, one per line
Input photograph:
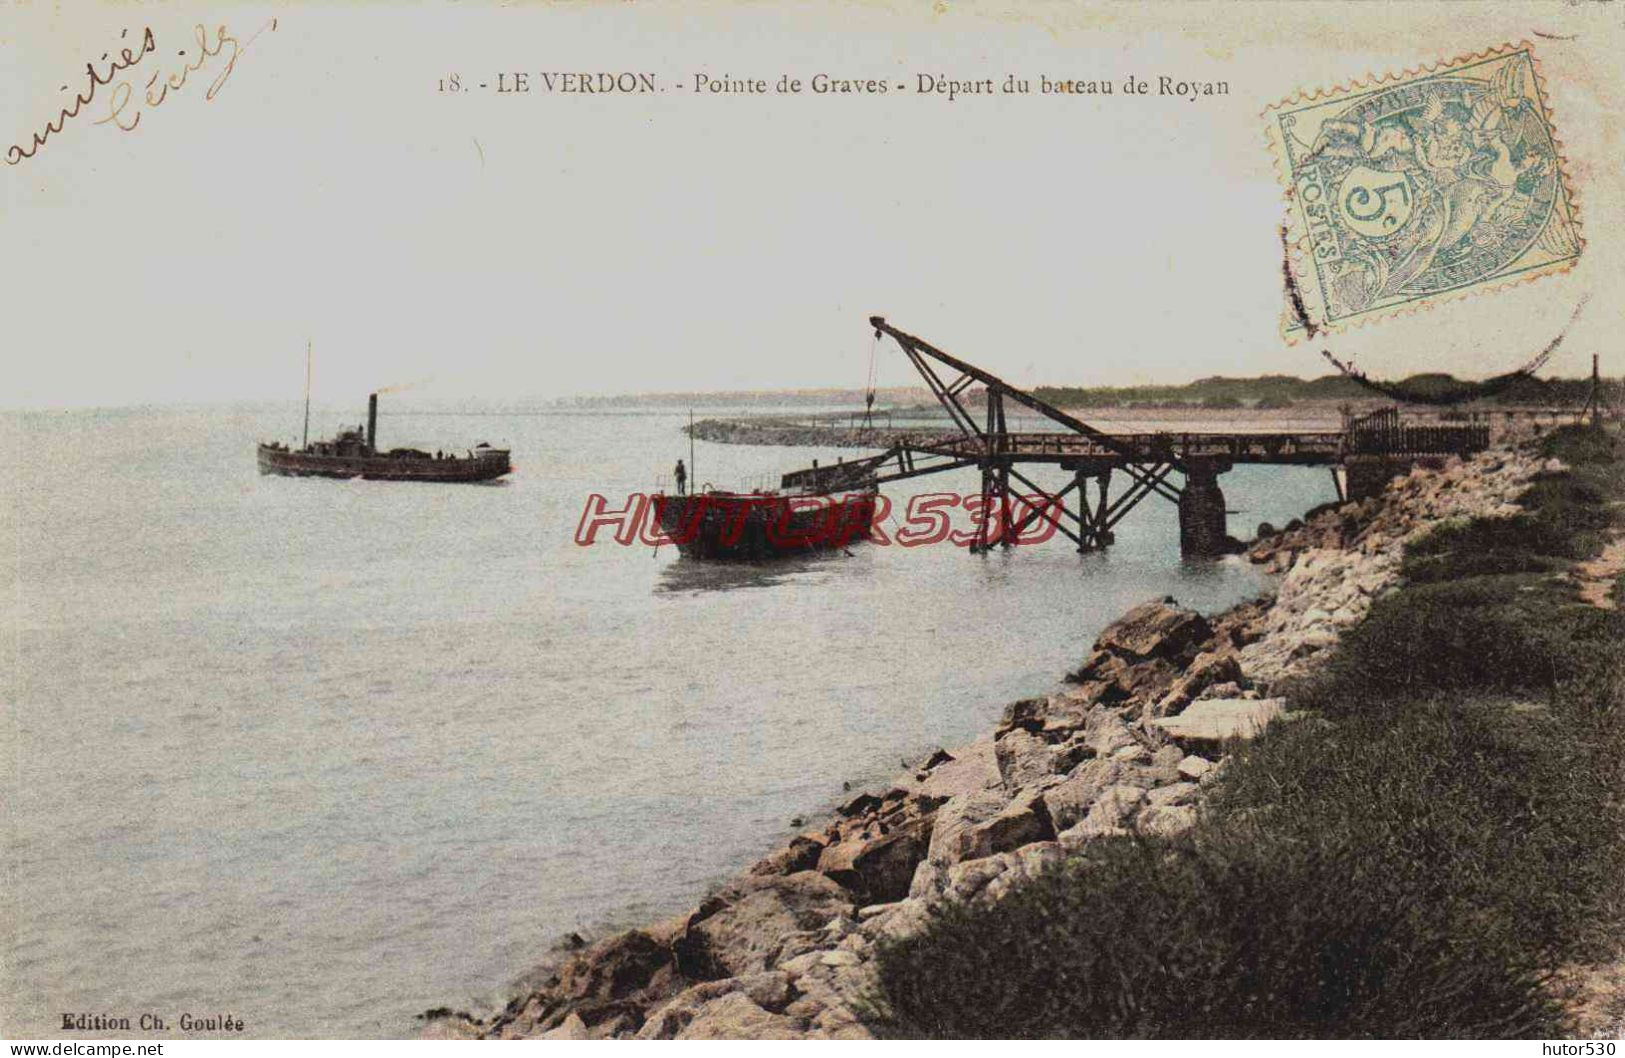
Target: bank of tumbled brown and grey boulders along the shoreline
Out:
[1132,744]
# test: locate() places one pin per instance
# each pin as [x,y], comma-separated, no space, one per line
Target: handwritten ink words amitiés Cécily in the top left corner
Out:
[123,95]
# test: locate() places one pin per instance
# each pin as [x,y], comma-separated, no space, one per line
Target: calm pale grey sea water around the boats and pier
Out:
[323,755]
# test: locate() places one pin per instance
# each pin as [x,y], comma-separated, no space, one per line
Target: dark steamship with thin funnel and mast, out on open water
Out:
[355,454]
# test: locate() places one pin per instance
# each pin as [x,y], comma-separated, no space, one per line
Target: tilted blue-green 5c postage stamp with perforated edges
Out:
[1413,189]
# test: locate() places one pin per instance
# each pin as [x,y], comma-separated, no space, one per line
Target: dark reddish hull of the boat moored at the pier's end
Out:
[745,527]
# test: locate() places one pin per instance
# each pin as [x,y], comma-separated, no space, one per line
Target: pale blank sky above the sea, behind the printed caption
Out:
[544,246]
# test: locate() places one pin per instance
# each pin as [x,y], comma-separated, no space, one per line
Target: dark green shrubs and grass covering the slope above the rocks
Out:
[1411,859]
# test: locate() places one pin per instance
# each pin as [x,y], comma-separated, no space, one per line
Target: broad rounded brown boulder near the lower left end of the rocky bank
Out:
[743,929]
